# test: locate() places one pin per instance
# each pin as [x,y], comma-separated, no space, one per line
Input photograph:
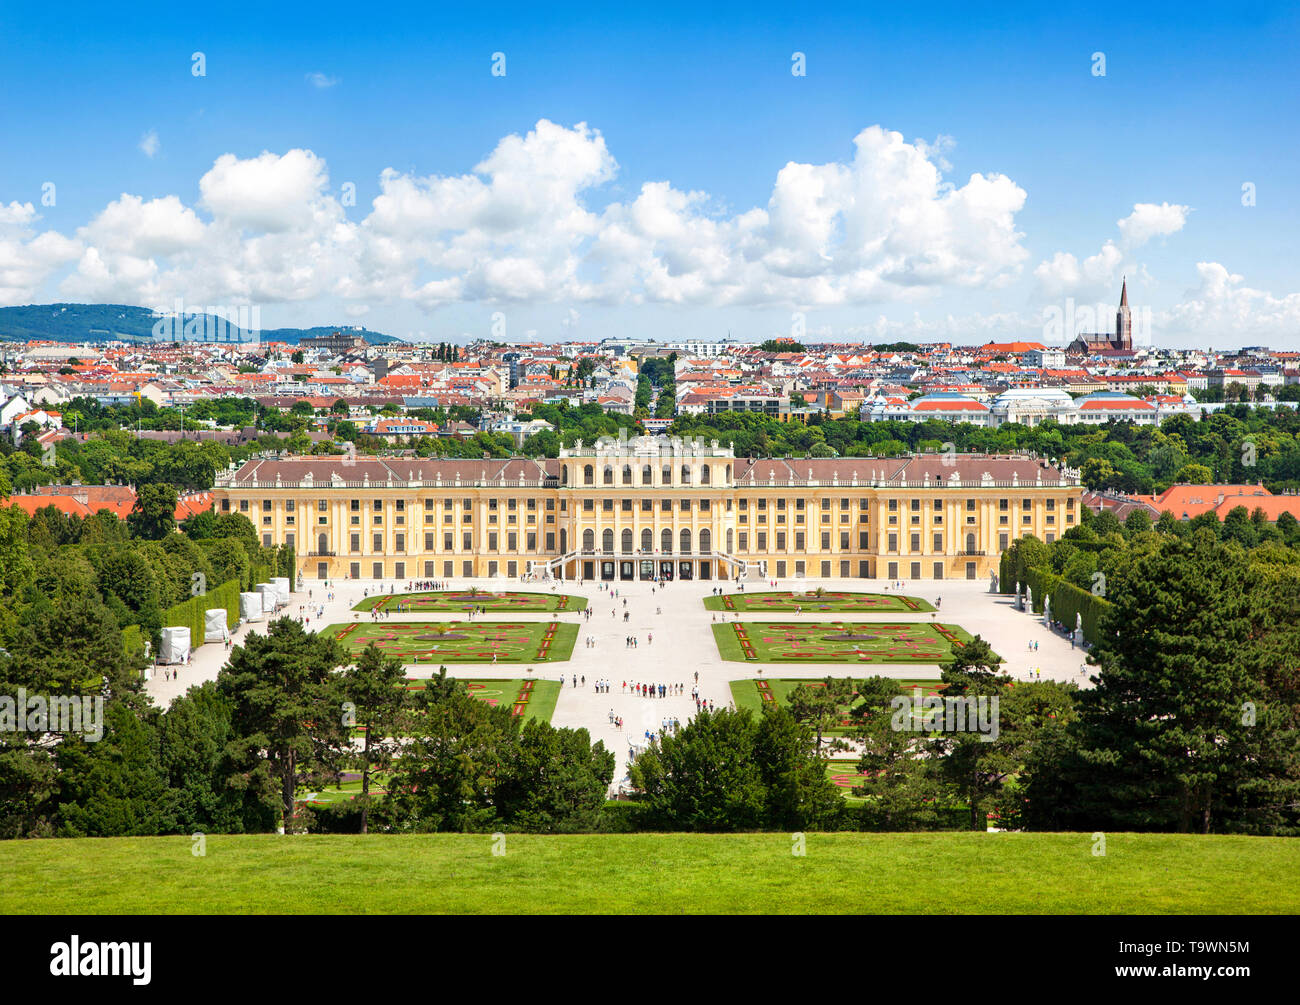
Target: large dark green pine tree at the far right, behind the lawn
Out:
[1184,724]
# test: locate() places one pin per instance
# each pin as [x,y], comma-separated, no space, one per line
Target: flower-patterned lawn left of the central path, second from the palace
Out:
[465,642]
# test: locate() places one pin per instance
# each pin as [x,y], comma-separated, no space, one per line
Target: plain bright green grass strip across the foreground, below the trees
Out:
[636,874]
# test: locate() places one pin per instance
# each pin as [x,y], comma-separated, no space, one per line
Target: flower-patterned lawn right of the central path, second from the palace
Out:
[817,643]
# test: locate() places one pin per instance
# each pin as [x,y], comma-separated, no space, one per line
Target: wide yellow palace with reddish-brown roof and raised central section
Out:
[652,508]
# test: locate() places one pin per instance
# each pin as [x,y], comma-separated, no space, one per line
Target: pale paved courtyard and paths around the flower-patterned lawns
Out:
[683,646]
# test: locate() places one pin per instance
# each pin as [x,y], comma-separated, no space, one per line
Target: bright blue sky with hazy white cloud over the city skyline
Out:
[1194,105]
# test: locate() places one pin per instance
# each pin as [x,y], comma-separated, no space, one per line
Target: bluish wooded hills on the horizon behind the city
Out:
[119,323]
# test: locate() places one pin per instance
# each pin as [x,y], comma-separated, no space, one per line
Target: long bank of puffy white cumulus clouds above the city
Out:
[531,224]
